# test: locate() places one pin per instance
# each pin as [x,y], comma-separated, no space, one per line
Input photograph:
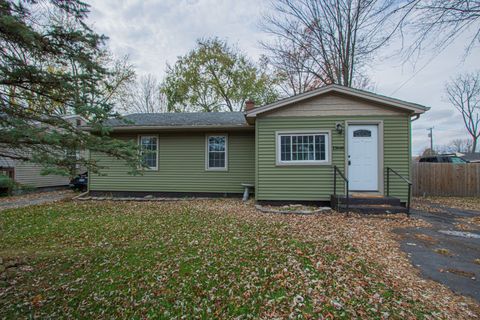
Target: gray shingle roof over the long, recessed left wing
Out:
[184,119]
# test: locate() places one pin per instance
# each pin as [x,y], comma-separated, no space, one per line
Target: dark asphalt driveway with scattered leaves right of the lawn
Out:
[449,250]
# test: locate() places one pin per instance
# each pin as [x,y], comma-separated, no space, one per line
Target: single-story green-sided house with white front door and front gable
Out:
[287,149]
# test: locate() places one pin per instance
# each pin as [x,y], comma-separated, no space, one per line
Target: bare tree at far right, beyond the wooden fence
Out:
[463,93]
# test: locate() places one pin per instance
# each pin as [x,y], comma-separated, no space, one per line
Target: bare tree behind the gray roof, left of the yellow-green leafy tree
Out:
[142,96]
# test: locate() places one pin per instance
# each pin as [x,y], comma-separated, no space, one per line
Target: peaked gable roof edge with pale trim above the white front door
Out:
[379,100]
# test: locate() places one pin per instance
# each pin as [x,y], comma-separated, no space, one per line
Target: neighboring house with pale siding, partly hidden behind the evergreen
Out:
[29,174]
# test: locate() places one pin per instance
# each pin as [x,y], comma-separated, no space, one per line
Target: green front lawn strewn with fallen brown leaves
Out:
[209,259]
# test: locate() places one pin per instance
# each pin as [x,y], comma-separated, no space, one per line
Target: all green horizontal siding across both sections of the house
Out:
[182,162]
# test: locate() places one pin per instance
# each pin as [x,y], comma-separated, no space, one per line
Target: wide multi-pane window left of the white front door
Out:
[302,148]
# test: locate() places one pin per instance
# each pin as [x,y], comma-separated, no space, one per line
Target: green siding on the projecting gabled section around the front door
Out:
[316,182]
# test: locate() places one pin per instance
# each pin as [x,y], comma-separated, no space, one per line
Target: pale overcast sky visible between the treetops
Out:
[153,33]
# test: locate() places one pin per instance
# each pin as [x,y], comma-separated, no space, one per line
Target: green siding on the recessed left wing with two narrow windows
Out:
[182,167]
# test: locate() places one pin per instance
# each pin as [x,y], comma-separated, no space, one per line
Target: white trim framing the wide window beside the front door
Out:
[328,148]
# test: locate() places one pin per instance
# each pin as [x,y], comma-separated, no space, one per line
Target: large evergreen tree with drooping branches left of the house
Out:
[51,64]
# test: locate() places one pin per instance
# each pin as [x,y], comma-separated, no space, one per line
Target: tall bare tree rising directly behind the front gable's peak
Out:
[330,40]
